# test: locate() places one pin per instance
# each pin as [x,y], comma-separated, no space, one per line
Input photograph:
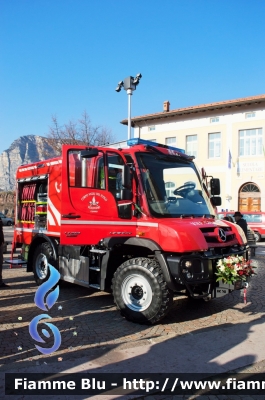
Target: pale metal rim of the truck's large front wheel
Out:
[136,292]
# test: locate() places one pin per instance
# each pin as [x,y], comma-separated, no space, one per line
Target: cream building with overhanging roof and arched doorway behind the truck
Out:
[226,138]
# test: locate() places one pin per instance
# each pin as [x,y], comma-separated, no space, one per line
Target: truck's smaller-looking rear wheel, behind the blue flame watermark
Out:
[43,256]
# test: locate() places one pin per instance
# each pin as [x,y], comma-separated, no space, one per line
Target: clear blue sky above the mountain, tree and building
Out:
[61,57]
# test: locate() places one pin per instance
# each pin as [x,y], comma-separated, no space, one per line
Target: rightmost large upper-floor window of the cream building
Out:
[250,142]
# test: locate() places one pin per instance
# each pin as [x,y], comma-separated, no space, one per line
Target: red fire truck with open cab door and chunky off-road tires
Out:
[139,221]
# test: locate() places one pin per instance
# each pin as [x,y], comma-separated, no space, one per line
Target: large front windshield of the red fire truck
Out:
[172,186]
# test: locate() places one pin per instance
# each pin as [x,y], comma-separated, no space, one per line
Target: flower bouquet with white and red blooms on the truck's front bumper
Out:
[234,268]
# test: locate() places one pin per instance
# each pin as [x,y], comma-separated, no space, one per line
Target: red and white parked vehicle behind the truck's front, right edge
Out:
[255,221]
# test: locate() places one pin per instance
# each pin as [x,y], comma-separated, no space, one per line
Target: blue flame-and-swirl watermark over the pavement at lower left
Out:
[46,293]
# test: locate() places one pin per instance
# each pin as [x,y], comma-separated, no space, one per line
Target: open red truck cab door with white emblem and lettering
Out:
[91,195]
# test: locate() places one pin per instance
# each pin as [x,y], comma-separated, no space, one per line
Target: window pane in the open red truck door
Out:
[86,172]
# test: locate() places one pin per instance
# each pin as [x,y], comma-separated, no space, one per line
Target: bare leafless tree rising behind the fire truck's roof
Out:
[80,132]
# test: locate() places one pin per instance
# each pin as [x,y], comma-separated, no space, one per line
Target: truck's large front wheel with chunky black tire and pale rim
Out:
[140,292]
